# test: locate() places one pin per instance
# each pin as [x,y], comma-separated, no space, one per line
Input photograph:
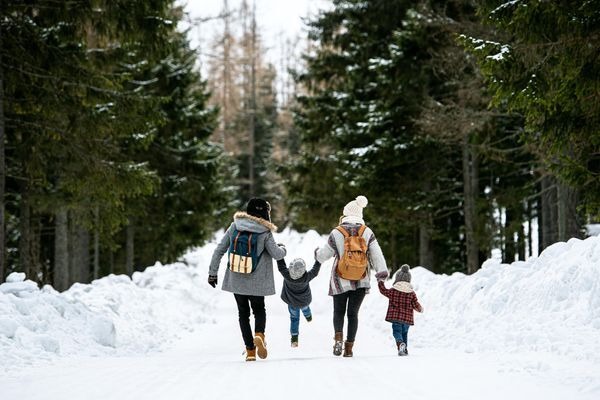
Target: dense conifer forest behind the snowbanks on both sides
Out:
[471,126]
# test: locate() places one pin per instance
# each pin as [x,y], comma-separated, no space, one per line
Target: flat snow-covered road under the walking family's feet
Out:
[208,364]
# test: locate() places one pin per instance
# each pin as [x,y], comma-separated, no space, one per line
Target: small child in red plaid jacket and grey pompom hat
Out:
[402,302]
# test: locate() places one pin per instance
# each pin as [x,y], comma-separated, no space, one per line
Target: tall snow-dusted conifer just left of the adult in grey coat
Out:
[189,201]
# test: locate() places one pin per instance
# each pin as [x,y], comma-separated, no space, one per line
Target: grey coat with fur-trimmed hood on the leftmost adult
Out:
[261,282]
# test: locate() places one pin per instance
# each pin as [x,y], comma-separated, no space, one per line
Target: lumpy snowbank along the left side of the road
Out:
[113,315]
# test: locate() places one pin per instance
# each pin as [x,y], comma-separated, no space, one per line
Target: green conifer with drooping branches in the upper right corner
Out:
[543,64]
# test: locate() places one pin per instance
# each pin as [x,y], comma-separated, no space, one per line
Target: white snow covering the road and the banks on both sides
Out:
[526,330]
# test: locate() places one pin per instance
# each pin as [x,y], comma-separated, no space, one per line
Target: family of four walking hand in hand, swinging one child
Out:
[251,250]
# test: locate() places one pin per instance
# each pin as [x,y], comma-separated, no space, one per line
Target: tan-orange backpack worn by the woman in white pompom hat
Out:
[353,263]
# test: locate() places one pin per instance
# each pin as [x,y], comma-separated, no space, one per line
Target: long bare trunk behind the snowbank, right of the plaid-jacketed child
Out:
[471,190]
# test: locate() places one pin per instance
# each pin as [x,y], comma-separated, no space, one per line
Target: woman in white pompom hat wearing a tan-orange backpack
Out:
[349,289]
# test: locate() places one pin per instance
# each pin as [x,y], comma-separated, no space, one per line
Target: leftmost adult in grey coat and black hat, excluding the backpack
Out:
[250,289]
